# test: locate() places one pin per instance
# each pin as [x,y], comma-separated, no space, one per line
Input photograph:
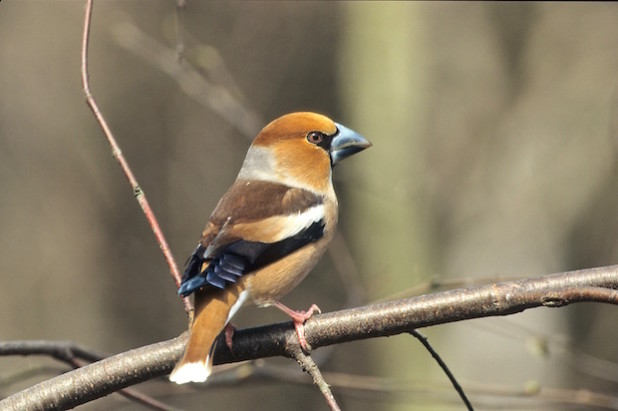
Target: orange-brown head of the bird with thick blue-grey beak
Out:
[300,149]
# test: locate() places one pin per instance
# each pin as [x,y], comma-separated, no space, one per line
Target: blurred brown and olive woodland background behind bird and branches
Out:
[495,128]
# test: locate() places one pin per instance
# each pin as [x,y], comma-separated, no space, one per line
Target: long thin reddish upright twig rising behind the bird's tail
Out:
[124,165]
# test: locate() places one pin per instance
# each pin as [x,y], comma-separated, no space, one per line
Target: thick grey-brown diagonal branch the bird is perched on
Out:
[377,320]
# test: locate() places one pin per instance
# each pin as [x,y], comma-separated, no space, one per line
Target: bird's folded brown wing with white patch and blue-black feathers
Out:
[254,224]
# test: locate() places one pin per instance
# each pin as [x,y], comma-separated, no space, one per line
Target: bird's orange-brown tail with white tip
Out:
[212,310]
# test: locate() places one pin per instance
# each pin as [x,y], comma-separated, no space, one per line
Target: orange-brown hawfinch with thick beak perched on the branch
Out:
[266,233]
